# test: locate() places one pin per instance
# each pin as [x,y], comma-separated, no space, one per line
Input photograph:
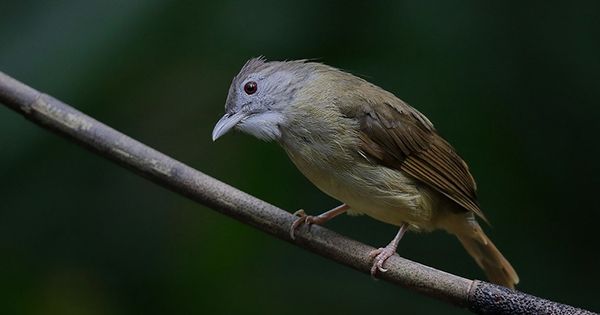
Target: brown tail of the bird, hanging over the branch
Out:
[488,257]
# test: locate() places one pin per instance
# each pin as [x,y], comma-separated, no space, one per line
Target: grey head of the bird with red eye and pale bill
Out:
[258,96]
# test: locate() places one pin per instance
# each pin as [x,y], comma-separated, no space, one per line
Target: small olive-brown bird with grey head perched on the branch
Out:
[365,147]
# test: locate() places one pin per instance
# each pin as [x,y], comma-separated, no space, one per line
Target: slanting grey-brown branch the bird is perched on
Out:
[478,296]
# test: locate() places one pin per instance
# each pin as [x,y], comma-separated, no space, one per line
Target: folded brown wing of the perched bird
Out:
[398,136]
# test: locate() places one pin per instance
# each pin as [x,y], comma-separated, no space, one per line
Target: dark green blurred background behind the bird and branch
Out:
[514,86]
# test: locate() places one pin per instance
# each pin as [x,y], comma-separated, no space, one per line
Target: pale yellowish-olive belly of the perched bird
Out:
[379,192]
